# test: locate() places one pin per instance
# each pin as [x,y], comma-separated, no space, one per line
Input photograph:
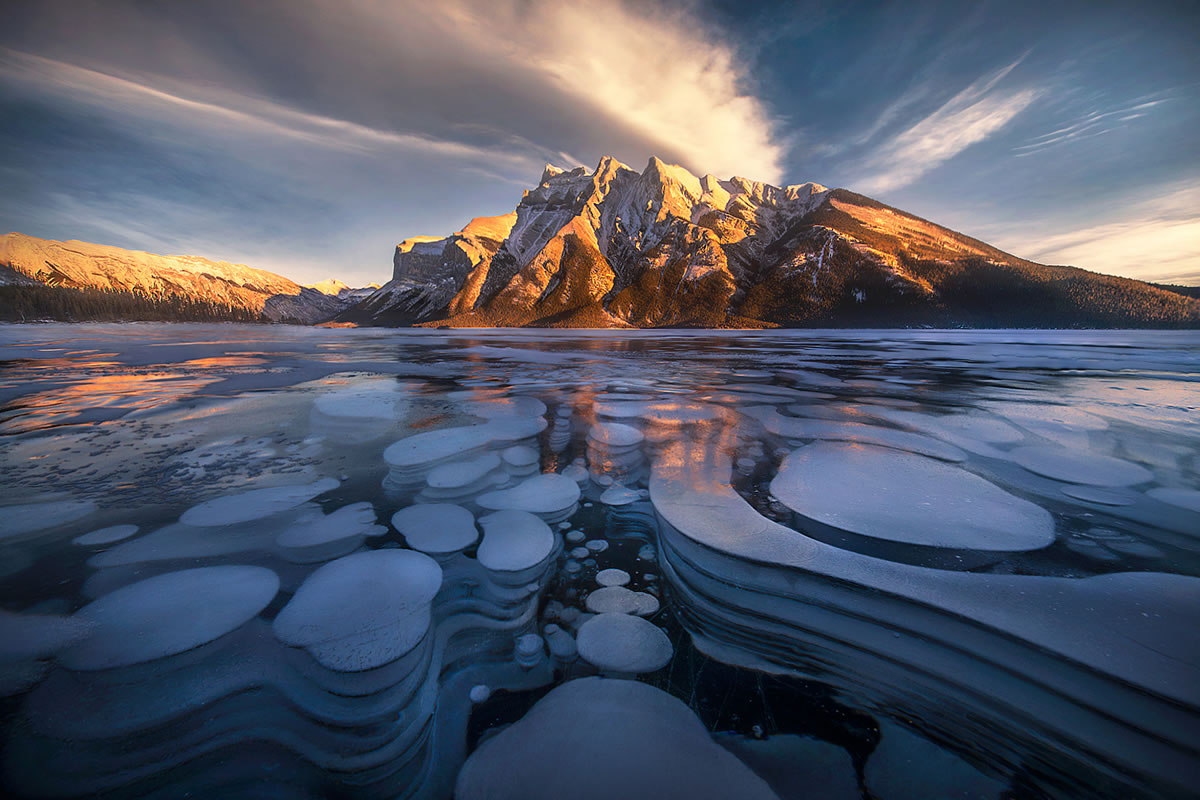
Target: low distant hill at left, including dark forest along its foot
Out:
[103,282]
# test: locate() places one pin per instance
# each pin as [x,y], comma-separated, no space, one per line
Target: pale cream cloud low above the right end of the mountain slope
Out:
[1155,240]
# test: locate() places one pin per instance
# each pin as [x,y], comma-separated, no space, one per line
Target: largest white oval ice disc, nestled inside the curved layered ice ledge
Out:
[905,498]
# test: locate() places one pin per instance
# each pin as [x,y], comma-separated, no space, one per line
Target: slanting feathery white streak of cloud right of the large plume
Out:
[973,116]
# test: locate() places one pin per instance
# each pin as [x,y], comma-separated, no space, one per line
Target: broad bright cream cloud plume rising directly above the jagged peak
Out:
[661,75]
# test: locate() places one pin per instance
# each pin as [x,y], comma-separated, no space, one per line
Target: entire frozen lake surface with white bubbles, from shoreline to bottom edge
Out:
[887,564]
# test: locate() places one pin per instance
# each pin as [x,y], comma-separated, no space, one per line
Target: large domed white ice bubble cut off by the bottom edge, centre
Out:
[599,739]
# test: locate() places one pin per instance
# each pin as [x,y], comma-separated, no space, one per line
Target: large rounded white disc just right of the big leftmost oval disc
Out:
[362,611]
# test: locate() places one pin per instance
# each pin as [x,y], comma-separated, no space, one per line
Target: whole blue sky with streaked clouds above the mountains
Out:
[309,137]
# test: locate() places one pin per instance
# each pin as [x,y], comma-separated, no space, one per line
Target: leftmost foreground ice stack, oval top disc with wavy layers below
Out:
[145,694]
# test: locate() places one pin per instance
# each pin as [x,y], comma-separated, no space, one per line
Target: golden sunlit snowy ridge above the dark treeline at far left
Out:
[225,290]
